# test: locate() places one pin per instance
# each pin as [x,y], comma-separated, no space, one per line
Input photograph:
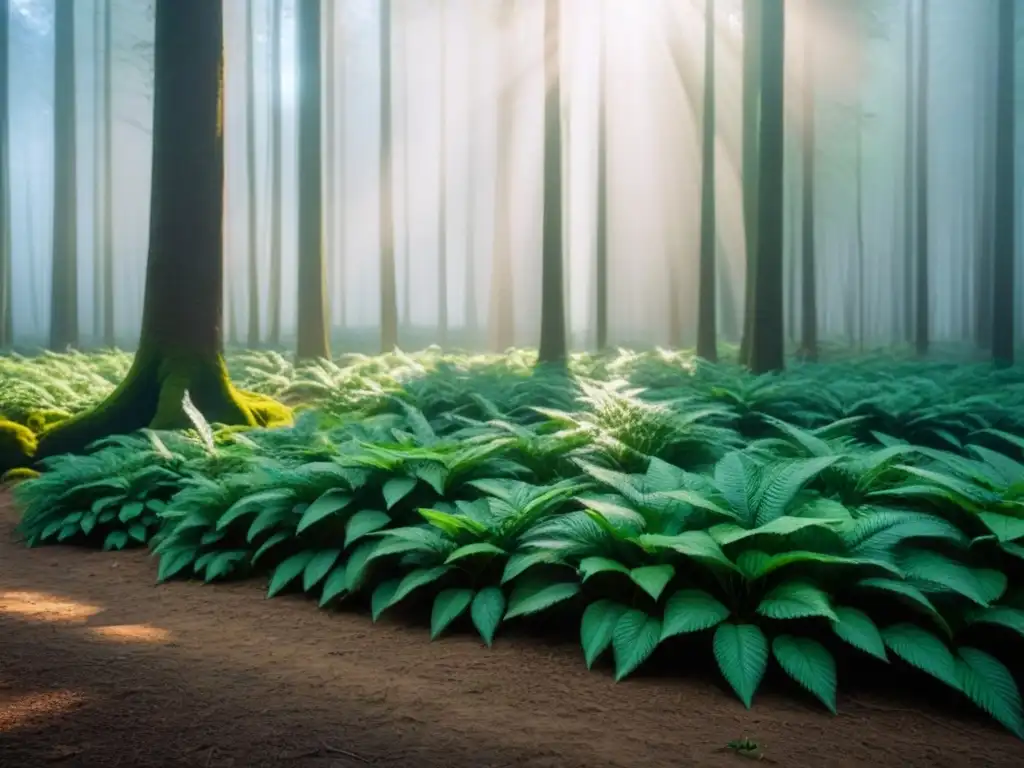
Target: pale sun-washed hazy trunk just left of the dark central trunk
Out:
[502,306]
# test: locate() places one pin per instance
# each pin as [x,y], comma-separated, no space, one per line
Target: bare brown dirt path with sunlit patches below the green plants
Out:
[102,668]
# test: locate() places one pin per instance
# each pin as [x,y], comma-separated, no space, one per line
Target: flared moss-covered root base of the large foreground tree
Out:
[151,397]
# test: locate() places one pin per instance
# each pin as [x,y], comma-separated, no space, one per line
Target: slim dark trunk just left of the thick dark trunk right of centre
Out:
[707,305]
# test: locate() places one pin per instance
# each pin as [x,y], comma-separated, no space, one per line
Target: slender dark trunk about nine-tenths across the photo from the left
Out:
[922,280]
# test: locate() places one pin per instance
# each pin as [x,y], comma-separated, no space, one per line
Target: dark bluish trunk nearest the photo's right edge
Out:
[1004,310]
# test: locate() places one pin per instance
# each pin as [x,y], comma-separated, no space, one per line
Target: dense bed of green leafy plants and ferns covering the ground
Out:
[870,508]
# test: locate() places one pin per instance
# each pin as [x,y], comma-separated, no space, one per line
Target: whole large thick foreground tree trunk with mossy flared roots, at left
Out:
[181,344]
